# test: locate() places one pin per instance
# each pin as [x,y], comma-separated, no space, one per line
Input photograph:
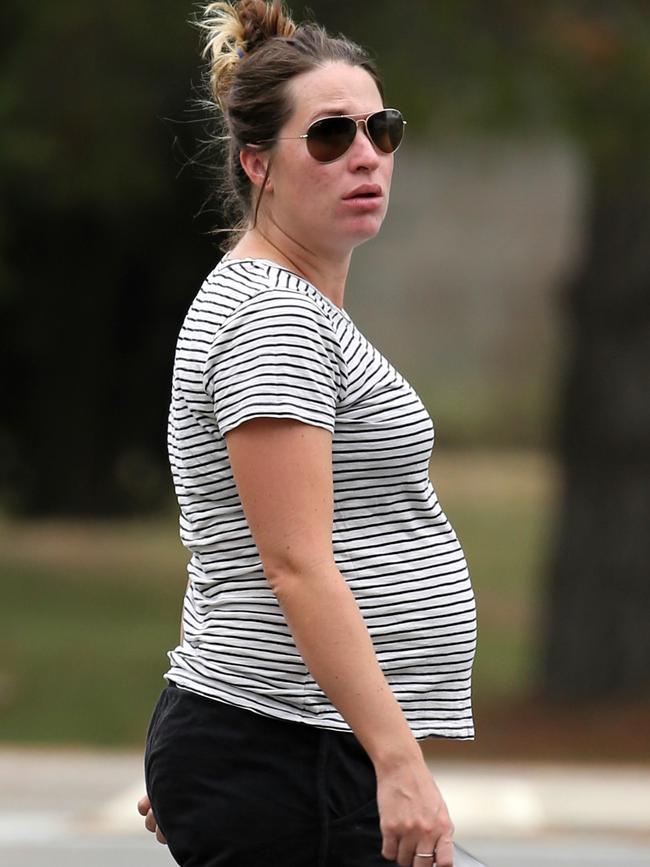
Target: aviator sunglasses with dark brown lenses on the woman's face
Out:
[330,137]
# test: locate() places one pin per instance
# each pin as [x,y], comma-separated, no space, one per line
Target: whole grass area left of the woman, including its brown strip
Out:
[88,612]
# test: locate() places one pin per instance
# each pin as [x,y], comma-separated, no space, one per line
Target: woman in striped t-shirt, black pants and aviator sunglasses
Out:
[329,620]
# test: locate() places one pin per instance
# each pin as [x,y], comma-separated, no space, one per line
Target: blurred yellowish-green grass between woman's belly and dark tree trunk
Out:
[500,505]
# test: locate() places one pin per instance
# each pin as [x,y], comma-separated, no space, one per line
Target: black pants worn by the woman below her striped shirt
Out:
[232,788]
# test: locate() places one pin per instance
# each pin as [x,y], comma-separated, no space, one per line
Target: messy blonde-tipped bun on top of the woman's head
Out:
[234,31]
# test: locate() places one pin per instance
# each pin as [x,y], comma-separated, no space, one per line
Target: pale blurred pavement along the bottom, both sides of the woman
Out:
[77,808]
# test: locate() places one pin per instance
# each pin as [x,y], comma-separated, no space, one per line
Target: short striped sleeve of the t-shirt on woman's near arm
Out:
[276,355]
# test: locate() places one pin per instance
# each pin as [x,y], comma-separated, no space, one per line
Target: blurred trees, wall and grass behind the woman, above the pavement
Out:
[510,284]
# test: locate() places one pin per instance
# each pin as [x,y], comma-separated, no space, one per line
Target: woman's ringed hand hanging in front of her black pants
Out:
[413,816]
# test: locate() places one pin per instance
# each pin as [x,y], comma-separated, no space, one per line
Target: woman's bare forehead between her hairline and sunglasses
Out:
[336,88]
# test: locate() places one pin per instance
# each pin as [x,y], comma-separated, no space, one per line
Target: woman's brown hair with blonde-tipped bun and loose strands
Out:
[254,49]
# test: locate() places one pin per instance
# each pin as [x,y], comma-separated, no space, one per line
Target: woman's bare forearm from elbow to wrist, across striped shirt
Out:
[333,640]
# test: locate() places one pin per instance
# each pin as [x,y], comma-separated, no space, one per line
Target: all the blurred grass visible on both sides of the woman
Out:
[90,609]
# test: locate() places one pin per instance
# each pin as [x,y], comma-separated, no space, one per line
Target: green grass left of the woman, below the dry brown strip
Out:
[82,654]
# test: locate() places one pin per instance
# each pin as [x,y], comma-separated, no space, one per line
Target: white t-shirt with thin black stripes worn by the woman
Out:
[260,341]
